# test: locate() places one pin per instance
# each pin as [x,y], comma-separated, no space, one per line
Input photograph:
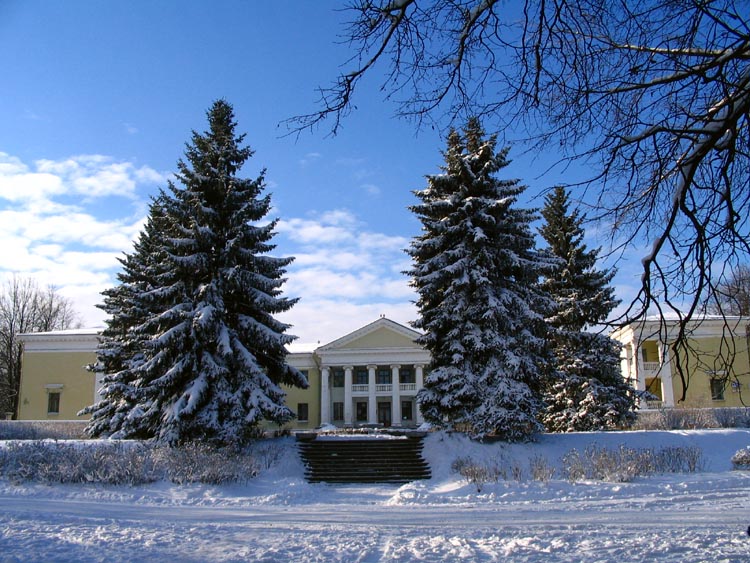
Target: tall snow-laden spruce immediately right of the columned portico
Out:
[476,271]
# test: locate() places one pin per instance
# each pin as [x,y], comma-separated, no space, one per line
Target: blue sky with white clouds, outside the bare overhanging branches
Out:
[99,98]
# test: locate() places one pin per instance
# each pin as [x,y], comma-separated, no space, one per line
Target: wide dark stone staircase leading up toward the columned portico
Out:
[363,458]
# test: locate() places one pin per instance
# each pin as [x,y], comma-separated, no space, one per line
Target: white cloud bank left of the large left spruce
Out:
[52,225]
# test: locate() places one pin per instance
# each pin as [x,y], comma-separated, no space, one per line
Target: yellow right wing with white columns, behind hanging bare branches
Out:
[715,364]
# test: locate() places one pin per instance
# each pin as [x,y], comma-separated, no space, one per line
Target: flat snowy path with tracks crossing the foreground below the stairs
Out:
[694,527]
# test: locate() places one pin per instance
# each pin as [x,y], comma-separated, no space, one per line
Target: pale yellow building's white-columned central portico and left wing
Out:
[368,377]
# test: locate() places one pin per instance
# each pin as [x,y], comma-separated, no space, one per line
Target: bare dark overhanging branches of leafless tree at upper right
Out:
[652,96]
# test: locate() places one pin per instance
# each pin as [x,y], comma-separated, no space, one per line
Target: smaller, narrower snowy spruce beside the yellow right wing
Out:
[586,391]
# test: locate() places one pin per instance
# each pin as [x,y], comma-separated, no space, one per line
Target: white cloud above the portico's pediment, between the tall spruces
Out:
[345,276]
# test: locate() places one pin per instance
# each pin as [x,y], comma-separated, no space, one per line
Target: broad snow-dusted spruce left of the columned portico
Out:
[193,351]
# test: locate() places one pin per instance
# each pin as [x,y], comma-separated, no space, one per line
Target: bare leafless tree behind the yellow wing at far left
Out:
[25,307]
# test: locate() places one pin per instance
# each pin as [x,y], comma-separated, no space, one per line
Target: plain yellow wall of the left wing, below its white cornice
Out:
[59,371]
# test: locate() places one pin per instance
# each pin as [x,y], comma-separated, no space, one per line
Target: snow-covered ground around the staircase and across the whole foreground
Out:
[279,517]
